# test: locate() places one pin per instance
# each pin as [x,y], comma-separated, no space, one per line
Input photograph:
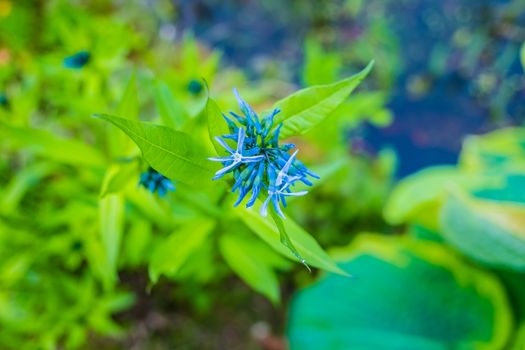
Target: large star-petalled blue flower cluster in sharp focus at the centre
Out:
[258,163]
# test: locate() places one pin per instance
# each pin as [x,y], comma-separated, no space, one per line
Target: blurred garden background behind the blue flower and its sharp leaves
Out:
[443,70]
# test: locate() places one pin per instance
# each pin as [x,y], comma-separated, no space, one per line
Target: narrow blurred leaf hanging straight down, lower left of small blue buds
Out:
[111,211]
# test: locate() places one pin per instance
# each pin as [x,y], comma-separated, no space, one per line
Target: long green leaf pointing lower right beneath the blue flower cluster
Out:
[306,246]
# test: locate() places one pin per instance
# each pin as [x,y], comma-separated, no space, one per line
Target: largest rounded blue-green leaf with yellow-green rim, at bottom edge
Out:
[406,295]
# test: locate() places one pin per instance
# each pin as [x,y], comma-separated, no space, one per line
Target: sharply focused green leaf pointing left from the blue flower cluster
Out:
[172,153]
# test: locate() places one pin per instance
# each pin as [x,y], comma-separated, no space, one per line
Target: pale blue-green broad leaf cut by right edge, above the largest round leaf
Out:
[490,232]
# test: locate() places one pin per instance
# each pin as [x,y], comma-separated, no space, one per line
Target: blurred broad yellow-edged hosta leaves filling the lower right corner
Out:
[475,208]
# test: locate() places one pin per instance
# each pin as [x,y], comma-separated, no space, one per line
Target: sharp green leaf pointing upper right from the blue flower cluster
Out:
[306,108]
